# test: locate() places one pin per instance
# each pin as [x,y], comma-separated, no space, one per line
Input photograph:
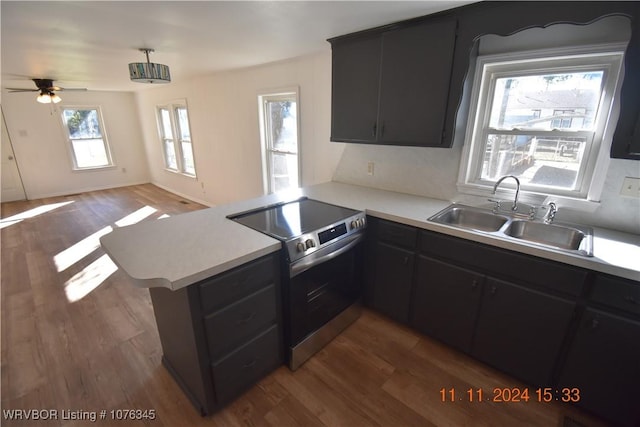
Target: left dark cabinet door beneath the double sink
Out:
[446,301]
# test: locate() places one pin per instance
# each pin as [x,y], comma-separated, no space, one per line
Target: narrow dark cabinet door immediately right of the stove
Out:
[391,284]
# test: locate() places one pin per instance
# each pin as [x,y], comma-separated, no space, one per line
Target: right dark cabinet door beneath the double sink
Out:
[520,331]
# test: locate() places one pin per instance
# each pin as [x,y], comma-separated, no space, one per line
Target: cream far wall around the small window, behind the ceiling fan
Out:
[42,152]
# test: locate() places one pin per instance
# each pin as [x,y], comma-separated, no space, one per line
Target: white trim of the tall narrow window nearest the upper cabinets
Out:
[270,95]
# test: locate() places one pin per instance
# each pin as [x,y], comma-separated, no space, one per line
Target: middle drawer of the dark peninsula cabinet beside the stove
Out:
[231,326]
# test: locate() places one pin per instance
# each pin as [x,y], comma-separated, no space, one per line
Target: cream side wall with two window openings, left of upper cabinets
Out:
[223,113]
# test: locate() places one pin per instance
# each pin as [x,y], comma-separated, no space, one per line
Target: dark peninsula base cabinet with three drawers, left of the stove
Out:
[223,334]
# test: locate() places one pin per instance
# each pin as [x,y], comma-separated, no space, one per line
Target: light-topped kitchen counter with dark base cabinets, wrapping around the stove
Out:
[188,258]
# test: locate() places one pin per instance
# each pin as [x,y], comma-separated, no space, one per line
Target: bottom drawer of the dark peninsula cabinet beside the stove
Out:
[245,366]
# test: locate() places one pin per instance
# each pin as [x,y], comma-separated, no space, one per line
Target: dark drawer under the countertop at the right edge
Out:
[618,293]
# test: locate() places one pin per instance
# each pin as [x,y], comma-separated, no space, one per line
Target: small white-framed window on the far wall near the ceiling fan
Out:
[87,140]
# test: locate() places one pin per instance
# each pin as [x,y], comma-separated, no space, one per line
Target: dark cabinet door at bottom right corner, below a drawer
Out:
[604,365]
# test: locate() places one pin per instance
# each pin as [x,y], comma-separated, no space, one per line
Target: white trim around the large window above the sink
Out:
[599,157]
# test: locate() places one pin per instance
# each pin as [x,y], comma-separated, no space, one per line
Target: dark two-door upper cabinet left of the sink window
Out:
[391,87]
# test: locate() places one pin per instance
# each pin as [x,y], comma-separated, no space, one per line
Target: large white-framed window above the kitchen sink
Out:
[540,116]
